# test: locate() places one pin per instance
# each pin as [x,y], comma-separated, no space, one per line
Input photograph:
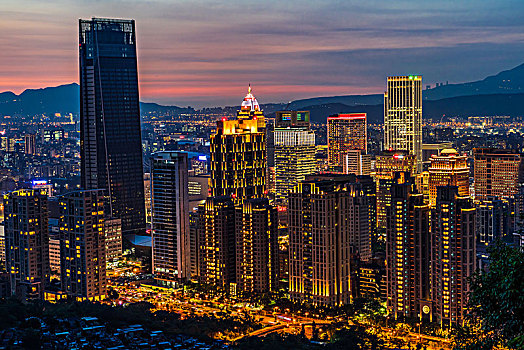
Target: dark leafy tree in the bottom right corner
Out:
[496,302]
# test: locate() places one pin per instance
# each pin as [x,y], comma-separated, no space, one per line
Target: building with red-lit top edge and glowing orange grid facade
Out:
[346,132]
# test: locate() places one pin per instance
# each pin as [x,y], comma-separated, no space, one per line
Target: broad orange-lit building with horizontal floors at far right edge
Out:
[497,172]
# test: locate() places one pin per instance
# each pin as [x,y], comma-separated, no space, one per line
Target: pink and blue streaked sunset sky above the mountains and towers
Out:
[204,53]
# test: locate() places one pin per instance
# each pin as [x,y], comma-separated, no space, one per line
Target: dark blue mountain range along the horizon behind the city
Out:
[501,94]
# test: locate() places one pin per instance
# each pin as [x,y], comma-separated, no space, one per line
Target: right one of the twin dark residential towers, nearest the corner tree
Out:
[453,258]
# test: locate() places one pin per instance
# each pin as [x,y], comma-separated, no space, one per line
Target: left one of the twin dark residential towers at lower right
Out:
[407,250]
